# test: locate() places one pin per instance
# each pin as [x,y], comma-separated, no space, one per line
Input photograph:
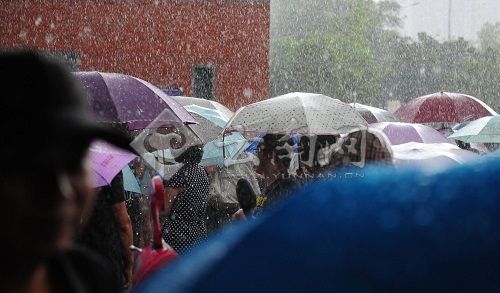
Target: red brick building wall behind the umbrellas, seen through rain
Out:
[157,40]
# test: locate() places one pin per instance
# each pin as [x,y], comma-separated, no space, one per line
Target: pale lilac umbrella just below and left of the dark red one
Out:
[399,133]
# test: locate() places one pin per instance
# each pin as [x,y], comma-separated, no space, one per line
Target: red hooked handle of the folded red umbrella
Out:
[157,194]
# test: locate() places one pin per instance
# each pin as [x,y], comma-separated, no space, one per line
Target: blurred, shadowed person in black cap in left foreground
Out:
[45,193]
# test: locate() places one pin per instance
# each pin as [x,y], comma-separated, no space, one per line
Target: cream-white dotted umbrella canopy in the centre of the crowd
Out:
[303,113]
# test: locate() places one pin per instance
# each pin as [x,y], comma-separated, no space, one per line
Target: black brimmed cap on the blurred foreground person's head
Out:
[44,118]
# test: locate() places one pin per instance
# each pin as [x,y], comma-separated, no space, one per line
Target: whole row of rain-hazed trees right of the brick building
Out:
[350,50]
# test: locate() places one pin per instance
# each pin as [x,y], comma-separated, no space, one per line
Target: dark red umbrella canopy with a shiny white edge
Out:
[443,107]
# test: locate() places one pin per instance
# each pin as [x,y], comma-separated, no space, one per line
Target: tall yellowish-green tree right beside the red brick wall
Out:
[338,59]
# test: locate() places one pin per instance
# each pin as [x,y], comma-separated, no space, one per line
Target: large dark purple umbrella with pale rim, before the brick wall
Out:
[119,98]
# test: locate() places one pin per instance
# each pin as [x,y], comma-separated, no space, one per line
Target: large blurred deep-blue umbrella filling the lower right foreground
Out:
[382,231]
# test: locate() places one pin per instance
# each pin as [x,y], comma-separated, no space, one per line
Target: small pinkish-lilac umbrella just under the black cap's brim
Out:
[107,161]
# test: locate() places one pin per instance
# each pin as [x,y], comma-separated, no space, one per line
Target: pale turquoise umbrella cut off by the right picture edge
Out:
[485,130]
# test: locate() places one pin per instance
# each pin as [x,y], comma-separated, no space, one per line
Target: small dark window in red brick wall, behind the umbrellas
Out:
[204,81]
